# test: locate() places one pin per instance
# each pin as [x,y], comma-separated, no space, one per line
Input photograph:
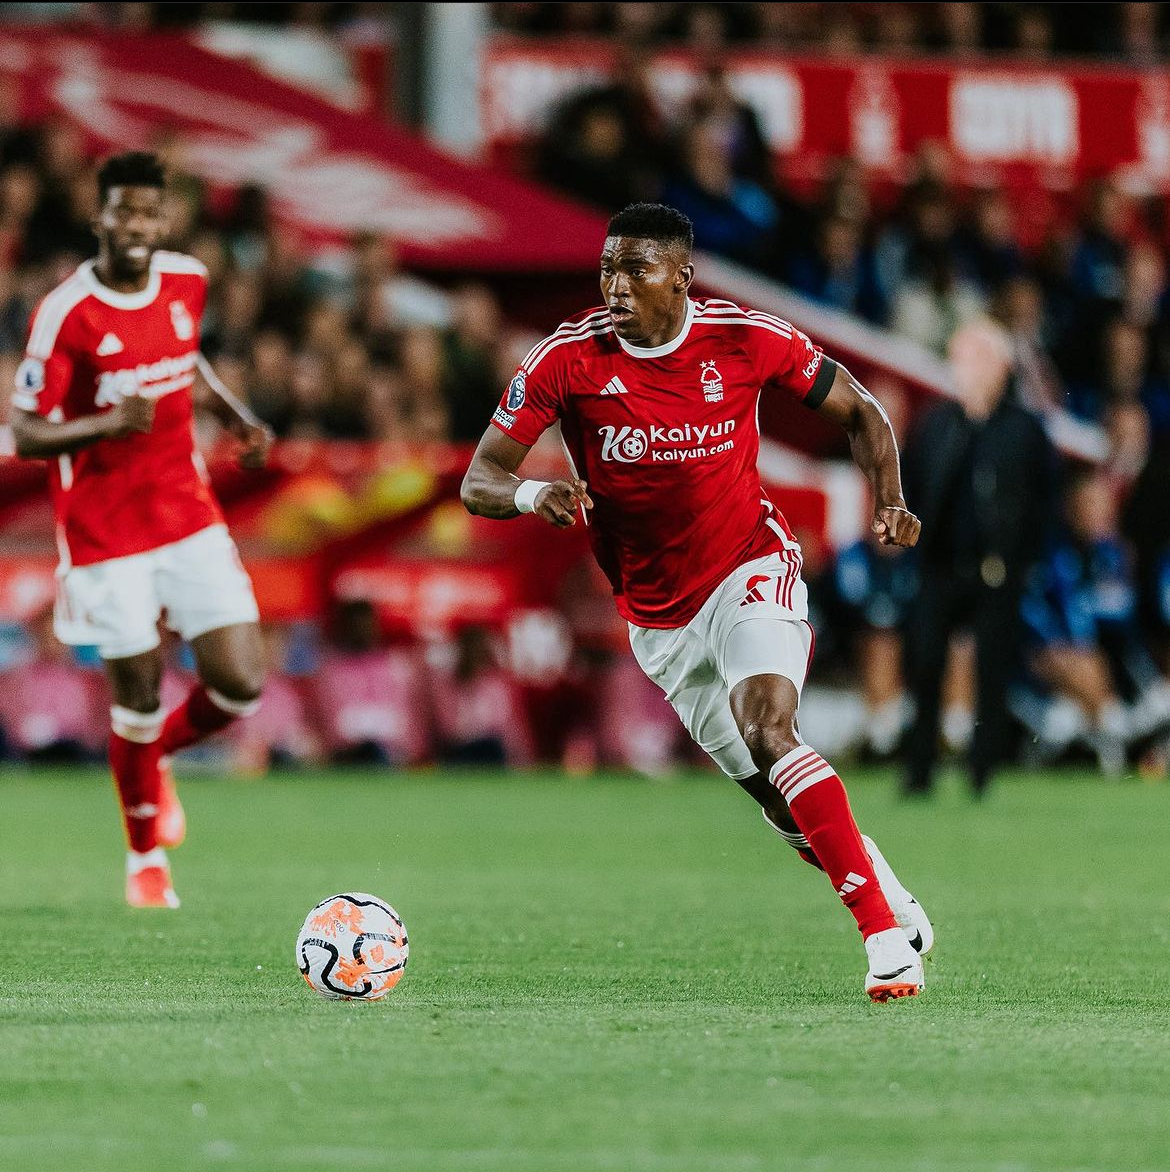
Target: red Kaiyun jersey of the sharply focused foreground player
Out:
[668,440]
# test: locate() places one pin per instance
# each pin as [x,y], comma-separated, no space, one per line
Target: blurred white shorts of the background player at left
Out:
[200,583]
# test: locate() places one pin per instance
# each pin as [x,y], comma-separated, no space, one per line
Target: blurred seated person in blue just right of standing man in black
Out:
[1080,612]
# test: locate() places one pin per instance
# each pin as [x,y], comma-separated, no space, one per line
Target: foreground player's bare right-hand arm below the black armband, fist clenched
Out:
[876,454]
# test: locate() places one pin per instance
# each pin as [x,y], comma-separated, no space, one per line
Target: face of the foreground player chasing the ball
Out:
[644,285]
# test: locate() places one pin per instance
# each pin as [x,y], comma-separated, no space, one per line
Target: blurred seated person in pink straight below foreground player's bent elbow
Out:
[479,716]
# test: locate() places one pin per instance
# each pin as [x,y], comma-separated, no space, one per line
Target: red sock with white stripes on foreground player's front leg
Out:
[820,808]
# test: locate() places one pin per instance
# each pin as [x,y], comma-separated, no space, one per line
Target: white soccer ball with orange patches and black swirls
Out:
[352,948]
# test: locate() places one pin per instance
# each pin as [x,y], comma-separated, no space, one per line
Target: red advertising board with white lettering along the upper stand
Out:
[1016,125]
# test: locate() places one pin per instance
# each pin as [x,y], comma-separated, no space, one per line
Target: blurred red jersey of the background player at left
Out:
[89,347]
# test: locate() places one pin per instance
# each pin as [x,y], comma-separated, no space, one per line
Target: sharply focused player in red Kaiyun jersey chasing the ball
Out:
[657,397]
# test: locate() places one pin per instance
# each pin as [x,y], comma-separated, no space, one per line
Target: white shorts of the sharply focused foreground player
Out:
[756,623]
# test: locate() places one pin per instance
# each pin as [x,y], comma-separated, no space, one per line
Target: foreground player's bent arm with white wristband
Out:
[493,489]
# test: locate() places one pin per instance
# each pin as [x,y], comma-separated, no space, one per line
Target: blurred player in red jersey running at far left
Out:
[105,393]
